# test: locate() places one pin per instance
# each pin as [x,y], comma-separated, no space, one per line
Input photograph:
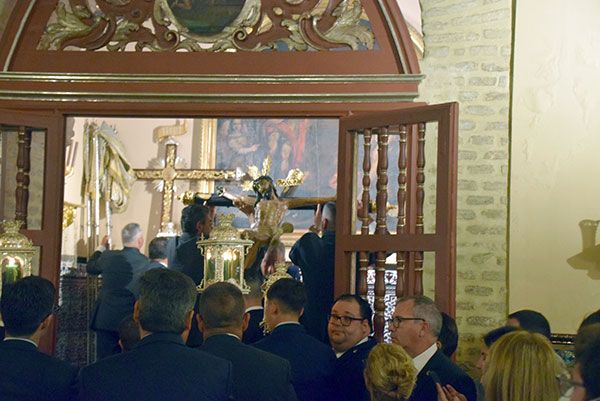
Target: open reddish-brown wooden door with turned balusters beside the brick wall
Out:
[407,239]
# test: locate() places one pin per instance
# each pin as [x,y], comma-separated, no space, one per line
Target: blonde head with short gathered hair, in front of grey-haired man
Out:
[390,374]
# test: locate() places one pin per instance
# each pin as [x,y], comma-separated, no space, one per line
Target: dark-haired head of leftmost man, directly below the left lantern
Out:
[25,304]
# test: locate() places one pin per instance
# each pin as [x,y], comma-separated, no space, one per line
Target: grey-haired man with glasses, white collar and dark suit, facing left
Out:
[415,325]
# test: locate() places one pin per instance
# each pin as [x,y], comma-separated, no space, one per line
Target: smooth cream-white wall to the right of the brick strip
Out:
[554,158]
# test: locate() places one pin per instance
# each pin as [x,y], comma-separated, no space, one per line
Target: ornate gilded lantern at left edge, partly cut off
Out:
[16,253]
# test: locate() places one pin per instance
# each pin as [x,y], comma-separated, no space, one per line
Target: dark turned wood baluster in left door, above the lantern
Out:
[23,169]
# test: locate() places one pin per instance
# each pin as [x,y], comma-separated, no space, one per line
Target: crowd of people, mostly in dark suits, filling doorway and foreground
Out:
[317,348]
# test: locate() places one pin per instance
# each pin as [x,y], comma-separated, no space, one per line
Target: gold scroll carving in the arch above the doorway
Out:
[262,25]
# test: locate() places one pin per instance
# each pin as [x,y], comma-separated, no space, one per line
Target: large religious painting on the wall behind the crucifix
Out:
[309,144]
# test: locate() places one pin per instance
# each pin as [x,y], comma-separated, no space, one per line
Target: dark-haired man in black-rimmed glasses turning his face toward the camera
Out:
[349,327]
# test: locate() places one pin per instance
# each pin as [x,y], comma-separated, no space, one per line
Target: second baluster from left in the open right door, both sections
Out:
[382,180]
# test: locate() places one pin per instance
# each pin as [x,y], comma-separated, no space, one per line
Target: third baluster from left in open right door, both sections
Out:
[401,257]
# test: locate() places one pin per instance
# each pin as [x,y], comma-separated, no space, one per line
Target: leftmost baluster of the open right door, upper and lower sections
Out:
[364,212]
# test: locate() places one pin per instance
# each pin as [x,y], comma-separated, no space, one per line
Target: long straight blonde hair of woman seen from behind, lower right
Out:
[522,366]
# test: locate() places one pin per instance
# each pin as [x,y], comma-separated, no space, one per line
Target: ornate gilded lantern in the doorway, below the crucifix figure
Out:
[224,255]
